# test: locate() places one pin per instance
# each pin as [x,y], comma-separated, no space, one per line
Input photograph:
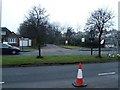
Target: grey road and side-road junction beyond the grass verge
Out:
[50,50]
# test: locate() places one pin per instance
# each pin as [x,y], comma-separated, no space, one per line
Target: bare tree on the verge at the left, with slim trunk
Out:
[38,20]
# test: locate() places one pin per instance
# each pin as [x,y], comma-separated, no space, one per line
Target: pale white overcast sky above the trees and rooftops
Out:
[66,12]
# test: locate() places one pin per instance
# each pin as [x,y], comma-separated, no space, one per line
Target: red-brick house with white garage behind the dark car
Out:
[13,39]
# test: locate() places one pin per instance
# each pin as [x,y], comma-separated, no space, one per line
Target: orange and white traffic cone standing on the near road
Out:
[79,81]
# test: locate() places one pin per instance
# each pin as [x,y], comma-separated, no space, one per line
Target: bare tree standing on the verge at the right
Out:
[99,21]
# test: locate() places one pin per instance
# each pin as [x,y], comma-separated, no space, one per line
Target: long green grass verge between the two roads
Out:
[17,60]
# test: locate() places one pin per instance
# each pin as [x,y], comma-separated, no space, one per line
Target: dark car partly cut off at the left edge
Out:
[8,49]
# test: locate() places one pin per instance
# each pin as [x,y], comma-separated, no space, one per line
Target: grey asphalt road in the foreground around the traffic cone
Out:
[61,76]
